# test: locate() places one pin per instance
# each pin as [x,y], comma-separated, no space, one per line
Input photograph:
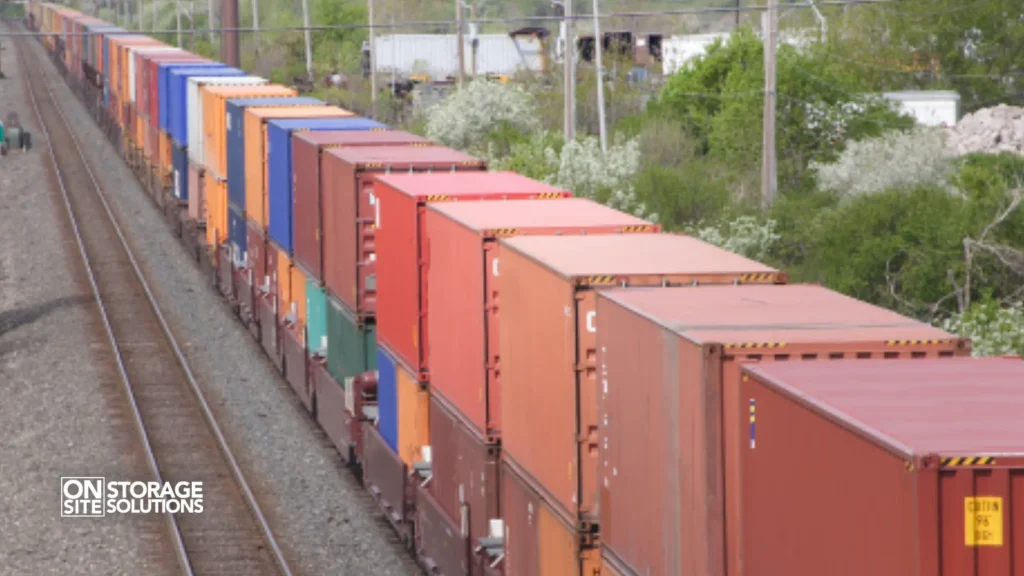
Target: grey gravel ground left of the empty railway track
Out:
[62,415]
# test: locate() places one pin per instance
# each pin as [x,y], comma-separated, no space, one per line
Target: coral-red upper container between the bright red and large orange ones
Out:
[464,274]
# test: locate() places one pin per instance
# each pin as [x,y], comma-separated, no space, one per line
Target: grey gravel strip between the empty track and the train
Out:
[322,517]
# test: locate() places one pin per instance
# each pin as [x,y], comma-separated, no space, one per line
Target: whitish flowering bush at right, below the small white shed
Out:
[918,157]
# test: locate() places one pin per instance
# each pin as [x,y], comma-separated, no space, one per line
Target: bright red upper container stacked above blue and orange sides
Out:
[403,245]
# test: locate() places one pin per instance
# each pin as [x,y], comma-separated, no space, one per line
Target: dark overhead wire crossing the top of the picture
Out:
[452,23]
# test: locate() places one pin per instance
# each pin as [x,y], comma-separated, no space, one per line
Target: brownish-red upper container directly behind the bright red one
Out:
[349,216]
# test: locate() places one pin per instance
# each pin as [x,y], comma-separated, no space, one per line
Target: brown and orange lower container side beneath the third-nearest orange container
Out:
[537,542]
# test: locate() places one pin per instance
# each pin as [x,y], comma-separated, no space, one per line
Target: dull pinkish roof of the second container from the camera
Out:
[791,314]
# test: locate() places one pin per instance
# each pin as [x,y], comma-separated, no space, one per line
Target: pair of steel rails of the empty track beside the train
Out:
[207,413]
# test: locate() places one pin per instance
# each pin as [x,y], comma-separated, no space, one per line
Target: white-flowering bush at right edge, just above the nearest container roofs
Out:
[994,330]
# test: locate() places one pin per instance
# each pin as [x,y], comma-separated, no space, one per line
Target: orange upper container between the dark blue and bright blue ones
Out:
[255,139]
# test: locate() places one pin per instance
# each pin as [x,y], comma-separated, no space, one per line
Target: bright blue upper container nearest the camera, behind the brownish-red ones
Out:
[279,160]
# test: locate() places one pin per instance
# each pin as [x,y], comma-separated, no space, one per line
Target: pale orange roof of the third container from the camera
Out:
[633,255]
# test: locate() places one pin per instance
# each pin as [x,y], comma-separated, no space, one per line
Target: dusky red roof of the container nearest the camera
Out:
[950,407]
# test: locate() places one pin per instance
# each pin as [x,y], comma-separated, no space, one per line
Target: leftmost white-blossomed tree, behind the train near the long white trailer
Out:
[465,118]
